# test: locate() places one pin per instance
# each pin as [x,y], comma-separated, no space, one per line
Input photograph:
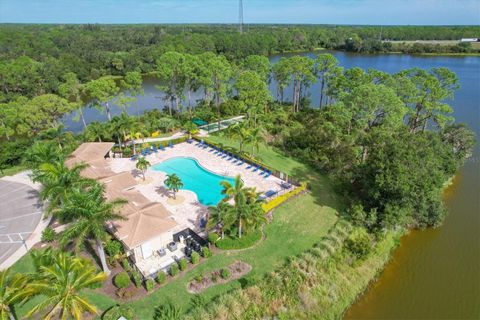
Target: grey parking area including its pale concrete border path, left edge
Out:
[21,222]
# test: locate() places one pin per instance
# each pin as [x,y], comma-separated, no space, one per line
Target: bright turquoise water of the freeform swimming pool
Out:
[195,178]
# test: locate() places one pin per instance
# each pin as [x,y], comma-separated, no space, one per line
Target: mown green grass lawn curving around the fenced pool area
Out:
[296,227]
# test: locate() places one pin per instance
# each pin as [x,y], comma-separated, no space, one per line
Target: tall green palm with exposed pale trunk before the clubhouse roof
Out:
[89,213]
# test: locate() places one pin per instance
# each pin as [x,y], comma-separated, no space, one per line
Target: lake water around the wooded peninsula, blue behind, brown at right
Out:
[435,273]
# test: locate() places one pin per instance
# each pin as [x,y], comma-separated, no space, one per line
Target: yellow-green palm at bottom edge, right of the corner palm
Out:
[60,282]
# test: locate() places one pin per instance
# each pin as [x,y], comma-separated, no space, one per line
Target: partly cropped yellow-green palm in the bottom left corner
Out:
[13,290]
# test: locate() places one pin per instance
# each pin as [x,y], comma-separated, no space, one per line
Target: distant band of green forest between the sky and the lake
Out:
[34,58]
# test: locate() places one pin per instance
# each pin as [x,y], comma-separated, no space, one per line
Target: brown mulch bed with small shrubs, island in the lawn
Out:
[237,270]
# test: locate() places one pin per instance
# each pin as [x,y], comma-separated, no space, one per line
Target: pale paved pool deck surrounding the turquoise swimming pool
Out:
[189,213]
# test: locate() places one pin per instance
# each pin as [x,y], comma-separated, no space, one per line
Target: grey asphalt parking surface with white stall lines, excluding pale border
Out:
[20,214]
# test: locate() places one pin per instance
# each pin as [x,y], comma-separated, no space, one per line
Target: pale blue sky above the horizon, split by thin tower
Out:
[419,12]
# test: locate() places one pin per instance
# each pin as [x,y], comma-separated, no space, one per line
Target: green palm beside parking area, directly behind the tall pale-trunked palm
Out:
[58,181]
